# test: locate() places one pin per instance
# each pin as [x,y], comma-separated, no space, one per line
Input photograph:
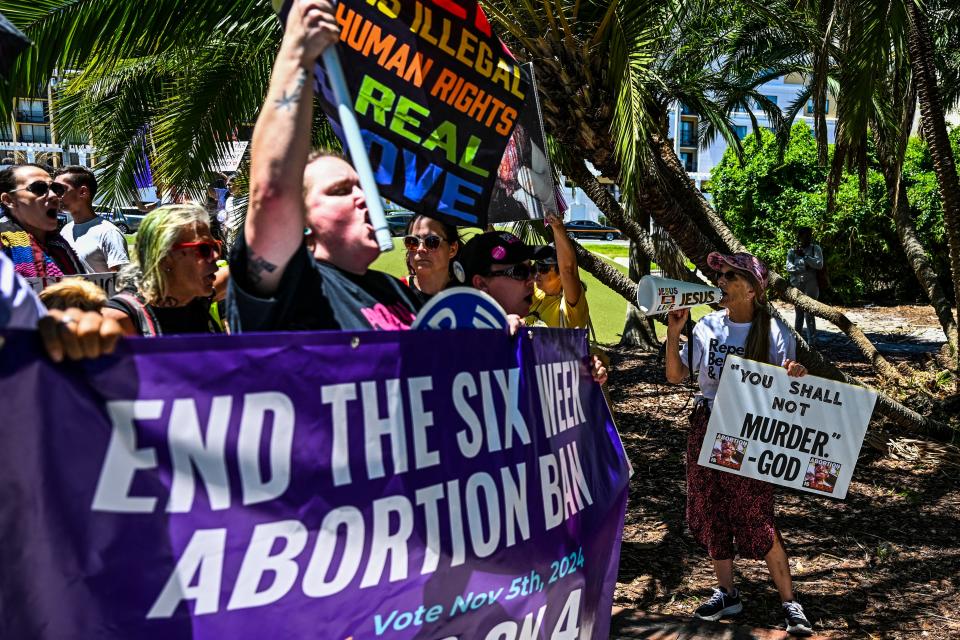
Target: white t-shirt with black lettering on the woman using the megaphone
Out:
[714,336]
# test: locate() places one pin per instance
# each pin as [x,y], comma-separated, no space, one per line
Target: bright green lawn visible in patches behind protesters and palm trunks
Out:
[608,310]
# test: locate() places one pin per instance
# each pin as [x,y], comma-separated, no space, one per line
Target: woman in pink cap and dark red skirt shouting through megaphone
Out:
[722,507]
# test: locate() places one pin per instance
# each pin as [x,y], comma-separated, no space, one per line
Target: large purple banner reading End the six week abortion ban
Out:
[421,484]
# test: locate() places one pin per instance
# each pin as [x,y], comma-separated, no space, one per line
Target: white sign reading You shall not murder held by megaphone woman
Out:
[803,433]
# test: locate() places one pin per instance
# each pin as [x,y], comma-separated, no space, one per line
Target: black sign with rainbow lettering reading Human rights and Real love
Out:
[436,95]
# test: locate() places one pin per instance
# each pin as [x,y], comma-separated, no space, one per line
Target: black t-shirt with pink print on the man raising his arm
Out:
[315,295]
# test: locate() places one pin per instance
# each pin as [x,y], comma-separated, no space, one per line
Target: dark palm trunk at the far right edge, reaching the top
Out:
[935,128]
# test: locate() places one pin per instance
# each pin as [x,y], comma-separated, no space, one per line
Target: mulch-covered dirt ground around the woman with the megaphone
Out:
[883,563]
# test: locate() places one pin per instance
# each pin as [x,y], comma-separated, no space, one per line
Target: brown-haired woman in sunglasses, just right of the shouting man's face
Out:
[431,248]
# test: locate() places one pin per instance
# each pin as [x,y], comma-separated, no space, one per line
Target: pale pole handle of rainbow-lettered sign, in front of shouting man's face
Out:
[358,153]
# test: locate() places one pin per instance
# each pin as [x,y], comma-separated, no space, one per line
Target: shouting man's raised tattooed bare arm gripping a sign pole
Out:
[281,143]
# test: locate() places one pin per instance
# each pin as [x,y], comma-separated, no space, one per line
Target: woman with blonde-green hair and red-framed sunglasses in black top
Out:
[173,282]
